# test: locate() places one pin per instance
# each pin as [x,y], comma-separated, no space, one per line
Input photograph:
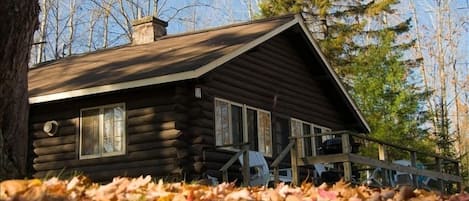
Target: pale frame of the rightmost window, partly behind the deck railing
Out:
[300,143]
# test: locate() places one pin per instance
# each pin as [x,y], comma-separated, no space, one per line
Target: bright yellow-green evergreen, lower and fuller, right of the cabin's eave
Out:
[391,104]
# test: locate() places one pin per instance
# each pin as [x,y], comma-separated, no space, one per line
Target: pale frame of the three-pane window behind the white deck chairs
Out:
[245,123]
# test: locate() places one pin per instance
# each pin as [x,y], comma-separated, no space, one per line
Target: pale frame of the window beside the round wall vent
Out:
[101,132]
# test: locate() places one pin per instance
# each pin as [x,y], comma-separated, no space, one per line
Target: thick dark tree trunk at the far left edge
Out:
[18,22]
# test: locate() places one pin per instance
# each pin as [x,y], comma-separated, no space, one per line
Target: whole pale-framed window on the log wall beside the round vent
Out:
[102,131]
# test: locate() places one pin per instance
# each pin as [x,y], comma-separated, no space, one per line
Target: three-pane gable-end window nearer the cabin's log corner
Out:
[236,123]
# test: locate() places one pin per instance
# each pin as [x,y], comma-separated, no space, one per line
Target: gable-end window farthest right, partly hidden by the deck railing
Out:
[305,145]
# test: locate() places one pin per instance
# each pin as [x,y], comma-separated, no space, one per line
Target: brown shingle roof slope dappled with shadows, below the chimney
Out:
[168,55]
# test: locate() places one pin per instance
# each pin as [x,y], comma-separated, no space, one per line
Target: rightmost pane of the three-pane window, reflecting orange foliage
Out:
[265,135]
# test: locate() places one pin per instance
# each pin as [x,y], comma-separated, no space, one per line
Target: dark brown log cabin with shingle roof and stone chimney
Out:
[177,105]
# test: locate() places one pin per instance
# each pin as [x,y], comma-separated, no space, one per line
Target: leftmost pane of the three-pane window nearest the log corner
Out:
[222,123]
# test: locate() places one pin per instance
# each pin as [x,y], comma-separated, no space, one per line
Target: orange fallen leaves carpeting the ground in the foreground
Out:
[81,188]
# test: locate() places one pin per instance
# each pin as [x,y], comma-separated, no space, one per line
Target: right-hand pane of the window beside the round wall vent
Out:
[113,129]
